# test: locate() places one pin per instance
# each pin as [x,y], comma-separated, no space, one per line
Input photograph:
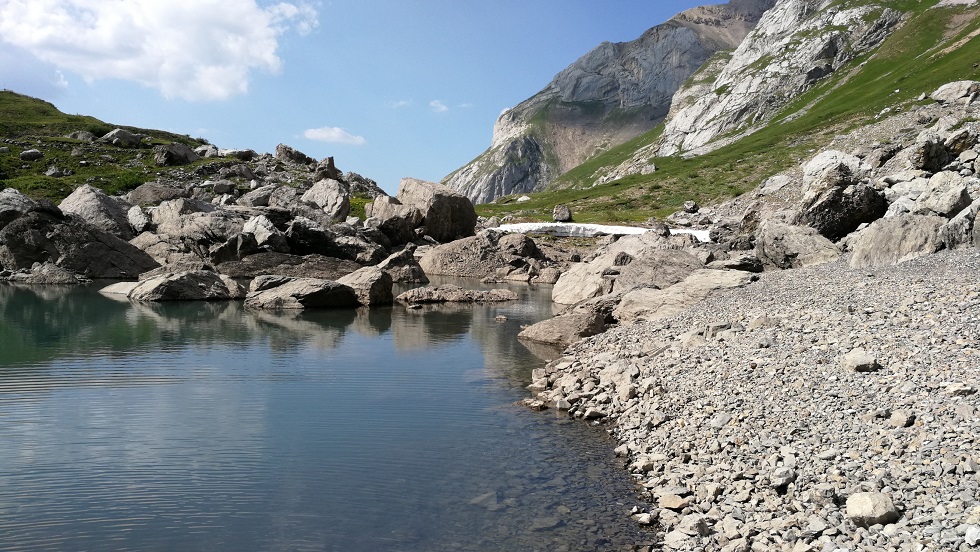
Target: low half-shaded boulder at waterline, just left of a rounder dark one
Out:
[303,293]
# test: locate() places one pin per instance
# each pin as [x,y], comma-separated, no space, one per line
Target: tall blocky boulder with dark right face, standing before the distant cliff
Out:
[447,214]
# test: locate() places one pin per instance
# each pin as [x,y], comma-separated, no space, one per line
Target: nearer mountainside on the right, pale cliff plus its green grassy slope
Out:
[810,70]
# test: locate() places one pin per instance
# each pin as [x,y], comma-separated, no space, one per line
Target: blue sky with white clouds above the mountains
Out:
[390,89]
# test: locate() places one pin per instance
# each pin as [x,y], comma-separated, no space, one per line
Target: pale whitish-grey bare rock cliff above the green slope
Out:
[795,44]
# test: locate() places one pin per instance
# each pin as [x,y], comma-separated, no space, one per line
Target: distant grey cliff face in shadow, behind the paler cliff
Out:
[612,94]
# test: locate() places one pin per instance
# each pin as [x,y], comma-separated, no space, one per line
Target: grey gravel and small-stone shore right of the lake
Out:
[819,409]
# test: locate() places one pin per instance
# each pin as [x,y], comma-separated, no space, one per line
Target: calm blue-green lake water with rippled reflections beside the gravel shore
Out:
[208,427]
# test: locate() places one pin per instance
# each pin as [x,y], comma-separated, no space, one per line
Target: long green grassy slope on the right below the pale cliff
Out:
[934,47]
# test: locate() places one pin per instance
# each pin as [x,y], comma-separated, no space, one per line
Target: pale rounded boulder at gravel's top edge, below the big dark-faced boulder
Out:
[790,246]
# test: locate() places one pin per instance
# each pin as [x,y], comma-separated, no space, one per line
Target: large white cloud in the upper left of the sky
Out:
[190,49]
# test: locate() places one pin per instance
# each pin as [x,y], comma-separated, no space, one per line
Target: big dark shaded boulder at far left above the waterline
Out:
[72,244]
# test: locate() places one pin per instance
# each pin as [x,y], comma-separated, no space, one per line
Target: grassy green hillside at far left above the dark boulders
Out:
[27,123]
